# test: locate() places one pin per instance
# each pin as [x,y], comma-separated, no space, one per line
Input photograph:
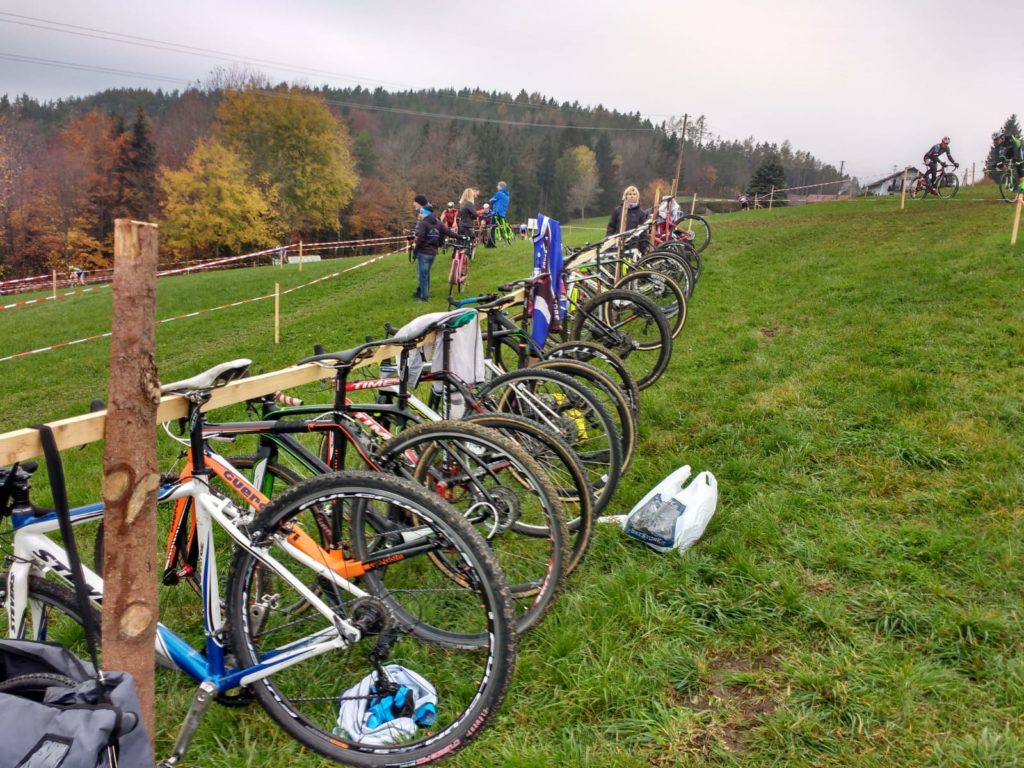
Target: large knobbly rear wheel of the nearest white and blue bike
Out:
[412,618]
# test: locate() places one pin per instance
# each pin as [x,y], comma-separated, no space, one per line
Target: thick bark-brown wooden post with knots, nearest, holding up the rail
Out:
[131,476]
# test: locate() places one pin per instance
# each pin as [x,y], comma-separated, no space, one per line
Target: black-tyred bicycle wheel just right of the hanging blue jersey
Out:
[632,327]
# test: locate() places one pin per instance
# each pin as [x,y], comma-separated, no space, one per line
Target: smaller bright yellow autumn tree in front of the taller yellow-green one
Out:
[211,204]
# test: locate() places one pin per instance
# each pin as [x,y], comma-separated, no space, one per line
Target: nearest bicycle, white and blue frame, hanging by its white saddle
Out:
[412,583]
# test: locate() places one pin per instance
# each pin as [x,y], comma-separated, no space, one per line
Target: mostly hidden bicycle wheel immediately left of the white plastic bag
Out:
[563,468]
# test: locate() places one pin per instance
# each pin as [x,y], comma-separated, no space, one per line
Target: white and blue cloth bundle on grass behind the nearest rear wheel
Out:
[356,712]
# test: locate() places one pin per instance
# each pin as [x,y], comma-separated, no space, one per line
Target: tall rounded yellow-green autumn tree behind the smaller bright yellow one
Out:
[291,142]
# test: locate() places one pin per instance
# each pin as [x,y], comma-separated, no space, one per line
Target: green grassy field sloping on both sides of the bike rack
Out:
[852,375]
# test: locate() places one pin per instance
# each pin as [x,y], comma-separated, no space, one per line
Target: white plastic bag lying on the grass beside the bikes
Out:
[674,517]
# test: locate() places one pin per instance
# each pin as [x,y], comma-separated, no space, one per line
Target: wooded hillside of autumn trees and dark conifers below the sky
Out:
[238,164]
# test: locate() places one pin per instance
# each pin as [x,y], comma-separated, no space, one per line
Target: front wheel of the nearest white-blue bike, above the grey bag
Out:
[54,616]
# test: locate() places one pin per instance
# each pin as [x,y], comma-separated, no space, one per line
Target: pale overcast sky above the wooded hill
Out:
[846,81]
